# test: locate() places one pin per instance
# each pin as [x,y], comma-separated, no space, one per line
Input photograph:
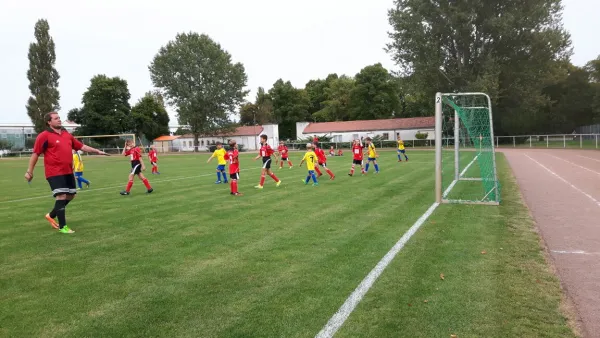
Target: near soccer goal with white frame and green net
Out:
[465,160]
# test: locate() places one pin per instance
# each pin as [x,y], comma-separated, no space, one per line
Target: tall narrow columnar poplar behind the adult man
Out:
[43,77]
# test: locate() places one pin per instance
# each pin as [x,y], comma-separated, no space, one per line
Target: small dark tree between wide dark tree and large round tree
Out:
[150,118]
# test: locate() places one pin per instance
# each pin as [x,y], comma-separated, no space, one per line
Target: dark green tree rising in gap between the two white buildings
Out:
[290,105]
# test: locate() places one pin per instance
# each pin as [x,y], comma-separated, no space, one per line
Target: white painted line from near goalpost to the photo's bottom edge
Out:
[338,319]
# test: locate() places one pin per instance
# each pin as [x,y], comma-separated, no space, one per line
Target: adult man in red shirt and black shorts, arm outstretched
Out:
[56,144]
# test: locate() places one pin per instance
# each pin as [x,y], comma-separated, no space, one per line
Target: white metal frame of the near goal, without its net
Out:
[441,196]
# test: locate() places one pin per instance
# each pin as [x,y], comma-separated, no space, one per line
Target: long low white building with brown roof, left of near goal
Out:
[388,129]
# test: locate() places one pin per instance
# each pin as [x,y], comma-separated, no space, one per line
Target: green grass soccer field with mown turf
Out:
[190,260]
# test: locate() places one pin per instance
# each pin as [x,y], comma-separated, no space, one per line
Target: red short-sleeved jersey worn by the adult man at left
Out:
[57,149]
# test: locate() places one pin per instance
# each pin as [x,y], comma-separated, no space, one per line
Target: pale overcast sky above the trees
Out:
[272,38]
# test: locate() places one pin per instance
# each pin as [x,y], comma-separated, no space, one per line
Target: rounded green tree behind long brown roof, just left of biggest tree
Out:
[375,94]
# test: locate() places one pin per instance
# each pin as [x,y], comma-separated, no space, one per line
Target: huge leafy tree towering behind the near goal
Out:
[508,49]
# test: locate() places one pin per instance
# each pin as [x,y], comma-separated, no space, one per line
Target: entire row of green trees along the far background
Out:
[519,53]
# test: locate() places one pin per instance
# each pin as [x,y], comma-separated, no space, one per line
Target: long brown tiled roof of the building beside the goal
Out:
[370,125]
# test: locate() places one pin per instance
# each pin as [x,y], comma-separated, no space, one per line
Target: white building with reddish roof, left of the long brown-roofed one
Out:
[248,136]
